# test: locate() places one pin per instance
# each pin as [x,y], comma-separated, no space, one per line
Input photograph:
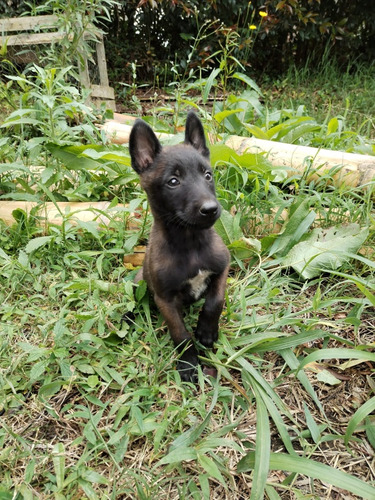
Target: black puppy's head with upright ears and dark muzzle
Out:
[177,179]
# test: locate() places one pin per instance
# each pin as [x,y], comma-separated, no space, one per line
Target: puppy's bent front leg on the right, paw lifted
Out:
[208,323]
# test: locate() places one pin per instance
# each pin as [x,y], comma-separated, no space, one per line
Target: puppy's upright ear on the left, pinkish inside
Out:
[143,146]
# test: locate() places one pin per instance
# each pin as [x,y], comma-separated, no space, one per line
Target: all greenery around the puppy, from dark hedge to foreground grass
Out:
[91,405]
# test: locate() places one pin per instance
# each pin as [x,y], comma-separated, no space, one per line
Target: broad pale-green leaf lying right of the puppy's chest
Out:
[325,249]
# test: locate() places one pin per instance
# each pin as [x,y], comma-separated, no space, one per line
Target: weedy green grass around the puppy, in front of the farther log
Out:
[92,406]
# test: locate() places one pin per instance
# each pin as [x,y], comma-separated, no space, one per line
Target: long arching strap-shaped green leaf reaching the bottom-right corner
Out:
[316,470]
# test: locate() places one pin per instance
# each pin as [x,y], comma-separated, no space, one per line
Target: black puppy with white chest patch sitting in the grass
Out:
[185,257]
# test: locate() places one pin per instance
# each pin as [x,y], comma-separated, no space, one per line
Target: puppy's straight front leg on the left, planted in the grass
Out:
[188,361]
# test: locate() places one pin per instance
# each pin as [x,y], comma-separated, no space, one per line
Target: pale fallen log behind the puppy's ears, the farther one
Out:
[352,169]
